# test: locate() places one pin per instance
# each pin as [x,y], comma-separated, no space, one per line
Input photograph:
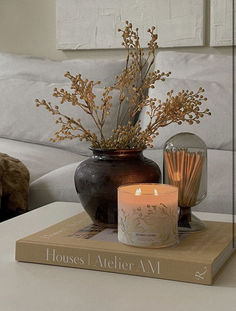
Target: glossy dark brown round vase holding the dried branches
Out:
[97,180]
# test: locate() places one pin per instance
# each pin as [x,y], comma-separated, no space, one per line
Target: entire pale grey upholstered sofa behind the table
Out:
[52,168]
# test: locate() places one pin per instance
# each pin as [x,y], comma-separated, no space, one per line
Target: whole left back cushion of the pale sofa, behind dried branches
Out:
[24,78]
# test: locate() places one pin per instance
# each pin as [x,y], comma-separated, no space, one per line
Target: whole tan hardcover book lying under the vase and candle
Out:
[77,242]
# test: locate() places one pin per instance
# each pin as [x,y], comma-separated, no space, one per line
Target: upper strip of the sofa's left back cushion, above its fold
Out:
[37,69]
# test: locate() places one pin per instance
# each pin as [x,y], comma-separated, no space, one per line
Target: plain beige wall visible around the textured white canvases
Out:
[29,27]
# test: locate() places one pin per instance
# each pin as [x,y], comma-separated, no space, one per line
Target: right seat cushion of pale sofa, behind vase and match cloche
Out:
[52,187]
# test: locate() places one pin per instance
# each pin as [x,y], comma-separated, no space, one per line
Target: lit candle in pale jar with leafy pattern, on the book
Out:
[148,215]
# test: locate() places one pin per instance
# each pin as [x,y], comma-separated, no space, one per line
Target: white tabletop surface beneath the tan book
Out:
[33,287]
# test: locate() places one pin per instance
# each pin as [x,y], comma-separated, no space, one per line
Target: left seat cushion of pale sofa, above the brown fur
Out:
[38,159]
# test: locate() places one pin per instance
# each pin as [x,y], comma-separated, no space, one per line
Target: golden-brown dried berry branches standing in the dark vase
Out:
[133,84]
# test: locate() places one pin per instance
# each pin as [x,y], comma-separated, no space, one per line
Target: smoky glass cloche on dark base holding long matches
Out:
[185,166]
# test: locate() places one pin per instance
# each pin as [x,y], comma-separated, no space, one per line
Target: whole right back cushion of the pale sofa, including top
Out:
[190,71]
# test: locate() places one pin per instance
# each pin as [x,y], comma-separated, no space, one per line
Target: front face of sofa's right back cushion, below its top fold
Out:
[215,130]
